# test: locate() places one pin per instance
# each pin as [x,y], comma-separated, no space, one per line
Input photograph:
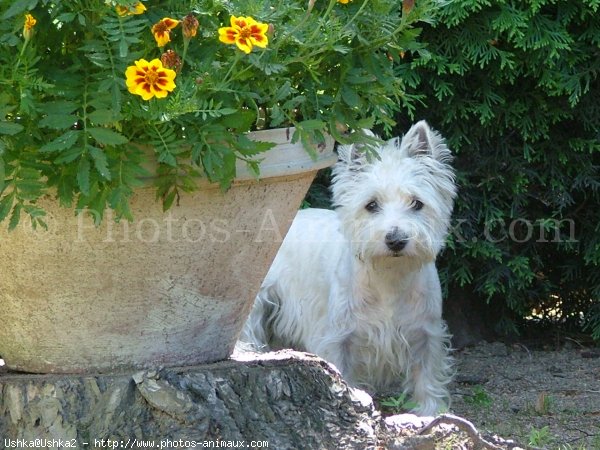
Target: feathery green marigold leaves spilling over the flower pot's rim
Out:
[70,128]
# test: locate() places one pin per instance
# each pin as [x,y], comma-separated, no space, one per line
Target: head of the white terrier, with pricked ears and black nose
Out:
[399,204]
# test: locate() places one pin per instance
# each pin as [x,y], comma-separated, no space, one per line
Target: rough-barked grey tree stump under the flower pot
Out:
[283,400]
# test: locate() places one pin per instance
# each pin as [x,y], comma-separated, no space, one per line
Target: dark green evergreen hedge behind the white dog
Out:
[514,88]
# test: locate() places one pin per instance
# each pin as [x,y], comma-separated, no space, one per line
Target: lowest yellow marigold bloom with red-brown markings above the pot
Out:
[149,79]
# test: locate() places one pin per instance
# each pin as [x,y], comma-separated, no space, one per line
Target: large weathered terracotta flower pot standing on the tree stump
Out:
[167,289]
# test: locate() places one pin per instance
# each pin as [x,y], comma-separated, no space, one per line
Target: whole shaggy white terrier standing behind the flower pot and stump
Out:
[358,286]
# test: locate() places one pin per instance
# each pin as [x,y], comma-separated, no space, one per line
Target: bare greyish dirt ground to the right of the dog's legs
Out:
[542,398]
